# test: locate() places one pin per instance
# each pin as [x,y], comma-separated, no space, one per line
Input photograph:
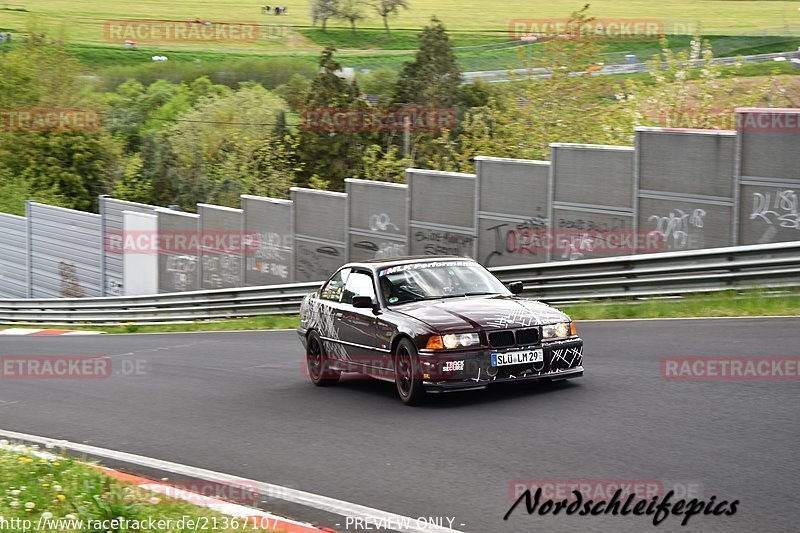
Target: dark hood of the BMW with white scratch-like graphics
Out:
[482,312]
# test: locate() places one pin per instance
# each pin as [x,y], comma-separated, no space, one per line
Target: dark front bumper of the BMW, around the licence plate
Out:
[562,360]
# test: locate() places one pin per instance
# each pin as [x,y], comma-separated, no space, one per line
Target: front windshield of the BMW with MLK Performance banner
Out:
[437,279]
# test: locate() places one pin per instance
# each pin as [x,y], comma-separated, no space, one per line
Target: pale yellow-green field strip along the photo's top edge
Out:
[84,21]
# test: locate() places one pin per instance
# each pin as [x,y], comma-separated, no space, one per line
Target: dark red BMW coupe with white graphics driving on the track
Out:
[433,324]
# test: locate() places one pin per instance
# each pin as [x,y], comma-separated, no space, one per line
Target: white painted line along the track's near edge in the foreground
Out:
[308,499]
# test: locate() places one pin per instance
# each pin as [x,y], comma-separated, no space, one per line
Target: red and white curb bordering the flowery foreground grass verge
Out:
[254,517]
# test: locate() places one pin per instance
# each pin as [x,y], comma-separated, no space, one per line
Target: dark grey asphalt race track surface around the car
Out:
[239,403]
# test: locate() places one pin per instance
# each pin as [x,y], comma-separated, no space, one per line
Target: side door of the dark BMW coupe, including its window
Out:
[357,326]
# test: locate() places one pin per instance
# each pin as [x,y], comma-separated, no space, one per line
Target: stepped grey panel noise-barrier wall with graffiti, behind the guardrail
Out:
[676,190]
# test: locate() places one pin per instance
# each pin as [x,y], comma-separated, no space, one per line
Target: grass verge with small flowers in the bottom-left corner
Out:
[58,493]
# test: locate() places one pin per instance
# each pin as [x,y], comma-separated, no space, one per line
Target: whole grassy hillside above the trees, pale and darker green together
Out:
[479,31]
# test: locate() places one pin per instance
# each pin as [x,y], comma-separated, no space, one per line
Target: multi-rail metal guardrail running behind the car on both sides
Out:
[661,274]
